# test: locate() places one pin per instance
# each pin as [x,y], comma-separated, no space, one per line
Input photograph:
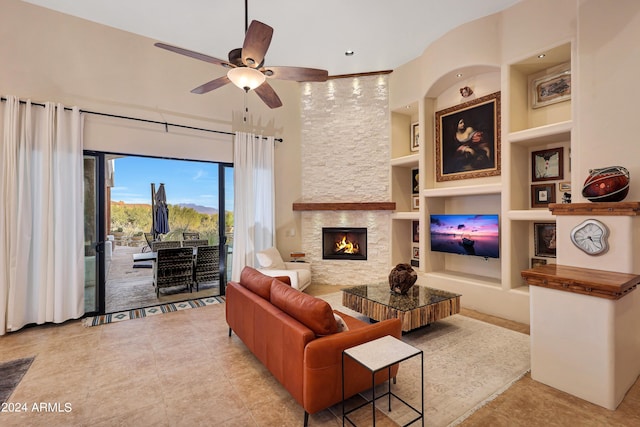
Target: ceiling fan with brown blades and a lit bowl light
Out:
[246,66]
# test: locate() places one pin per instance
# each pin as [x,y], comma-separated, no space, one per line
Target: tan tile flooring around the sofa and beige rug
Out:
[181,368]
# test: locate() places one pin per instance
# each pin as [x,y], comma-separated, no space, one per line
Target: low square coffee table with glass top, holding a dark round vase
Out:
[419,307]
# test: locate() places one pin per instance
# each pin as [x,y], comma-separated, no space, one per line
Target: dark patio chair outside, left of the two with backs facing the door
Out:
[174,267]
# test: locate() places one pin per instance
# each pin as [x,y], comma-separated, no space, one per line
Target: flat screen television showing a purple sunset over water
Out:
[465,234]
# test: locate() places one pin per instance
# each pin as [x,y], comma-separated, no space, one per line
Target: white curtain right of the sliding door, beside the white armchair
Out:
[254,204]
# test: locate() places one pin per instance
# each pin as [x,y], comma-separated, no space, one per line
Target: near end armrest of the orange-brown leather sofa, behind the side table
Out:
[323,365]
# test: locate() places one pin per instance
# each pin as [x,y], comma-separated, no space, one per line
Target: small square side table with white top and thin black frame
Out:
[376,355]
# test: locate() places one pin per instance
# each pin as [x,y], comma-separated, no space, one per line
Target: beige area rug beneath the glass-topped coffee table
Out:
[467,363]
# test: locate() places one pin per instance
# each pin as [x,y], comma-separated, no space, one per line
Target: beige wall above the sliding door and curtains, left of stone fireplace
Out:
[49,56]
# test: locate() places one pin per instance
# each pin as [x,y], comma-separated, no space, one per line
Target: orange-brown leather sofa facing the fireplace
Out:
[296,337]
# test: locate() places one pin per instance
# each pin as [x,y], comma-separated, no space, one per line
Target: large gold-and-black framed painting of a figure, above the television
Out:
[468,139]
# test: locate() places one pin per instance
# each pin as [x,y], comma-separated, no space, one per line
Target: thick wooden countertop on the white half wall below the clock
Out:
[586,281]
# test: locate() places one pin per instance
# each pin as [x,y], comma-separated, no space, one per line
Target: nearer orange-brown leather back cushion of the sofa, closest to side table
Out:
[314,313]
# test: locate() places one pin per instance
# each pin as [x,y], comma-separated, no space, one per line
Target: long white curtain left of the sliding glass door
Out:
[41,220]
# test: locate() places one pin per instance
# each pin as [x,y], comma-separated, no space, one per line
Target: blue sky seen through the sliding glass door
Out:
[184,181]
